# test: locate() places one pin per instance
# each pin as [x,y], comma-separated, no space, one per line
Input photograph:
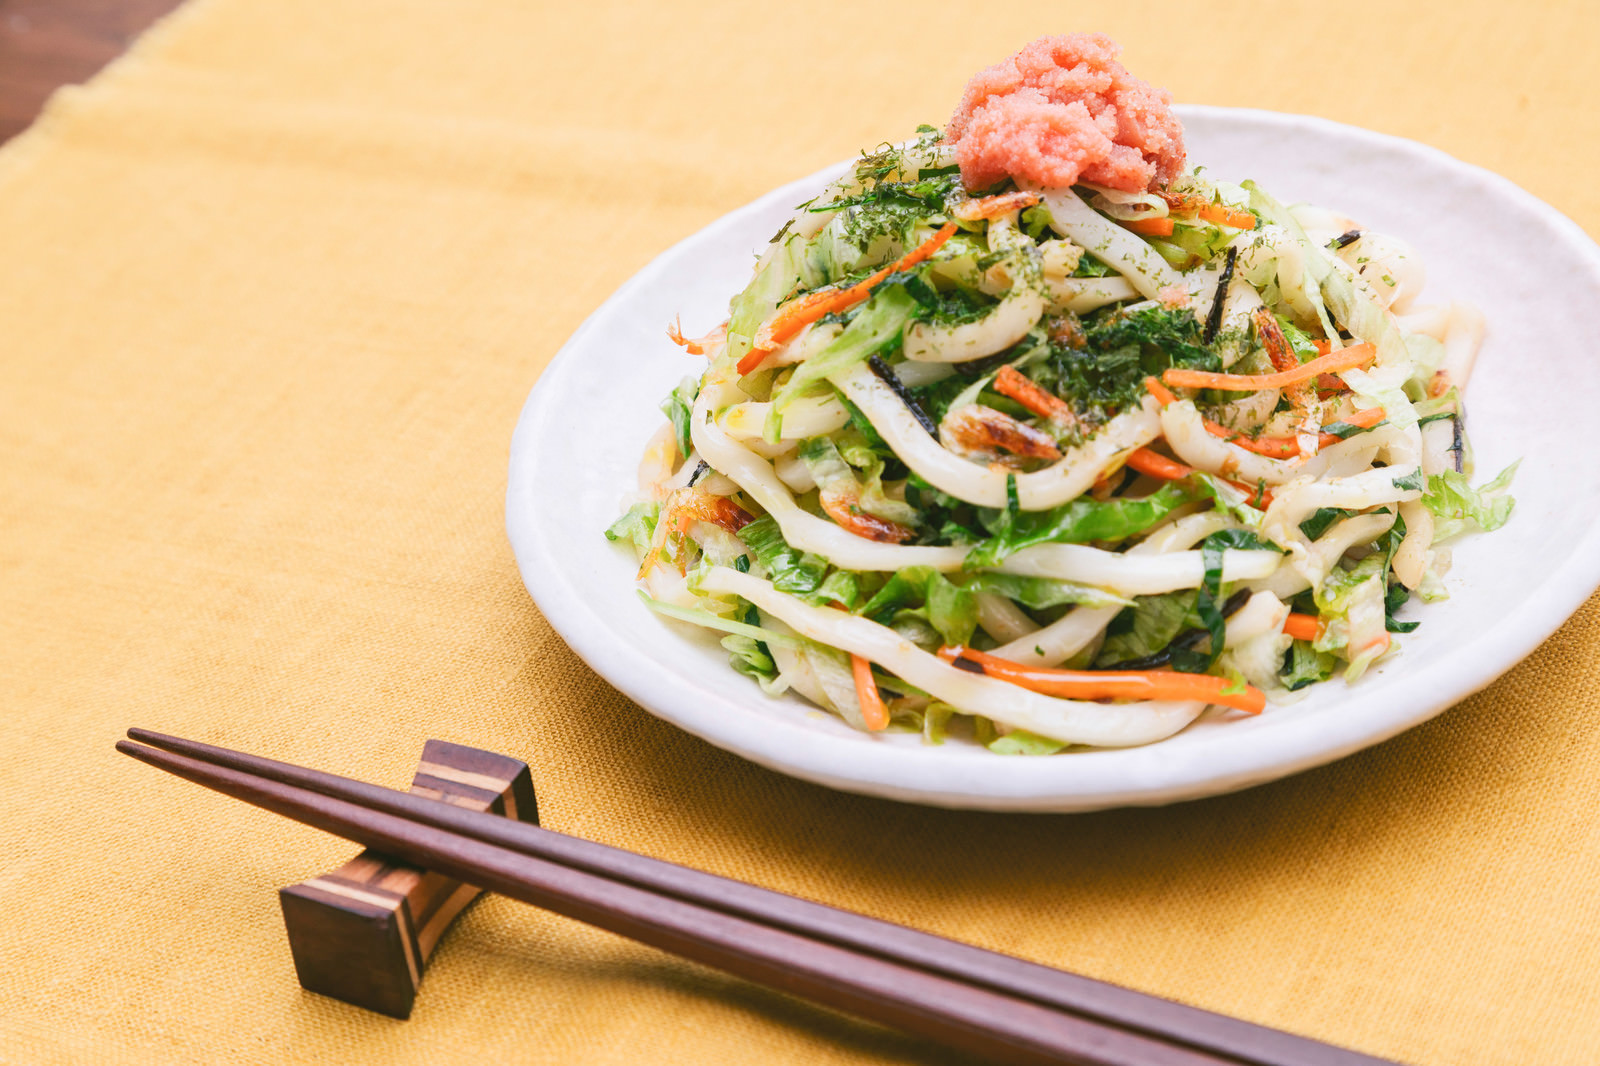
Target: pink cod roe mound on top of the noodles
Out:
[1063,111]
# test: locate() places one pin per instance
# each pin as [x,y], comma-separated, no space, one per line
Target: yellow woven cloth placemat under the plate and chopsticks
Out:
[273,292]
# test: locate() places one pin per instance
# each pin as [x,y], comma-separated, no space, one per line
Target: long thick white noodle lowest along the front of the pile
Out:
[1071,721]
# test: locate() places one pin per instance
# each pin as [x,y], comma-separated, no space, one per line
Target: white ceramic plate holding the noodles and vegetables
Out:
[1532,271]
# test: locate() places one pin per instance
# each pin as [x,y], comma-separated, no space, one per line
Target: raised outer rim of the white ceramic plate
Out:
[1033,785]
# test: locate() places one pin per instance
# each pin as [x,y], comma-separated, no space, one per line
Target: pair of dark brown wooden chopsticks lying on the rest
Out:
[994,1006]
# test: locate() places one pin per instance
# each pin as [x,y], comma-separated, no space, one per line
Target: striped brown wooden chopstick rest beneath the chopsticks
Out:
[364,932]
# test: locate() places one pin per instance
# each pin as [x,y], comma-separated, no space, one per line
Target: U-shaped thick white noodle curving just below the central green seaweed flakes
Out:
[983,486]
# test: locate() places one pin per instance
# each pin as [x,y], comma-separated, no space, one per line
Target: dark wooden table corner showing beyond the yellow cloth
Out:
[46,44]
